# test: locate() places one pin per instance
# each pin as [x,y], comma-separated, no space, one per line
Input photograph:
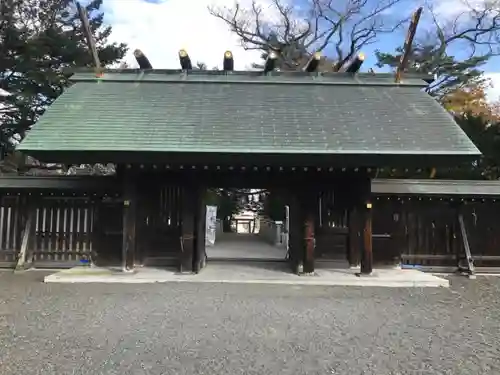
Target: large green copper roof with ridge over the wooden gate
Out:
[247,113]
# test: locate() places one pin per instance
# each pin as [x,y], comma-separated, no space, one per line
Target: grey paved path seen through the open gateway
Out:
[243,246]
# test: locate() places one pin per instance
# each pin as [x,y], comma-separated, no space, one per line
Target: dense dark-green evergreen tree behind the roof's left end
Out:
[40,39]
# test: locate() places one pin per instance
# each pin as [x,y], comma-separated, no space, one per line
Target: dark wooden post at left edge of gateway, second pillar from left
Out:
[188,226]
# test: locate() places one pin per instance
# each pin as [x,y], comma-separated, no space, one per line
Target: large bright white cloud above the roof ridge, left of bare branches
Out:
[161,29]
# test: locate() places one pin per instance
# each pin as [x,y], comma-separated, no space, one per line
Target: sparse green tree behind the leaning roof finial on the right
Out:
[452,50]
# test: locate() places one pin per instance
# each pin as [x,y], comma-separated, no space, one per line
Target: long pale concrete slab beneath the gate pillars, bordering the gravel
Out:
[251,273]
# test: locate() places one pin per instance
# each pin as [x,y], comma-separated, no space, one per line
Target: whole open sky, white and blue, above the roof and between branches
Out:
[162,27]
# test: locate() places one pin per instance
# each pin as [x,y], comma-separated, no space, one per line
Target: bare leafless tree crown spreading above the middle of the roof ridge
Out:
[294,34]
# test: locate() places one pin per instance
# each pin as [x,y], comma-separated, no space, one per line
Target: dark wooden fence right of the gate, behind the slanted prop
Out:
[428,232]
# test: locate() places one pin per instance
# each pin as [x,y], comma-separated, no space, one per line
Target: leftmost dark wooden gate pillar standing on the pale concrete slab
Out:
[129,221]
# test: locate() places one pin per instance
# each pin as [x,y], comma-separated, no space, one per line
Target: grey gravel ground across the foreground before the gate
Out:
[247,329]
